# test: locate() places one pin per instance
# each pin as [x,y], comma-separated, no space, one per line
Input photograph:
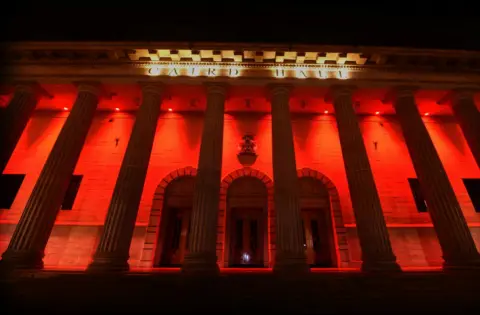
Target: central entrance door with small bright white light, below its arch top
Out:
[246,237]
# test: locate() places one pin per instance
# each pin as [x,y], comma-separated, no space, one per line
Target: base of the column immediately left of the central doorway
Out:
[200,264]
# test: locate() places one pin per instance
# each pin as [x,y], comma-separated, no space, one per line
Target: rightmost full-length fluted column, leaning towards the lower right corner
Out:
[449,223]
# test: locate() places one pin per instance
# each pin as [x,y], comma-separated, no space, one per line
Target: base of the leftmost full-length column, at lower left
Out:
[12,260]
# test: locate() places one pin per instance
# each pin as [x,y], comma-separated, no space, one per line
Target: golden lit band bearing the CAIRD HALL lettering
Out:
[237,71]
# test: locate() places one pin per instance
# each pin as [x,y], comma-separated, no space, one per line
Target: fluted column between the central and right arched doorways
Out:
[290,253]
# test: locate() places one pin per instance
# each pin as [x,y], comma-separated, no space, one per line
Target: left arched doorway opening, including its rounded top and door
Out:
[172,243]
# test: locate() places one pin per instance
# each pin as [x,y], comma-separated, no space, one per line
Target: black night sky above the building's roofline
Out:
[449,25]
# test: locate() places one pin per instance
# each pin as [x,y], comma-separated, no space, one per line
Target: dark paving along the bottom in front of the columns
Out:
[241,292]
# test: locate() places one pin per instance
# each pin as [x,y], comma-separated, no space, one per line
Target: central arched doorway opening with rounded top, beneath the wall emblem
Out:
[247,223]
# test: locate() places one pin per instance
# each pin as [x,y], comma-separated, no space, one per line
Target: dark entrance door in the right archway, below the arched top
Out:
[317,235]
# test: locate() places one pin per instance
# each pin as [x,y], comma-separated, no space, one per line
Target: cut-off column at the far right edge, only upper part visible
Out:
[468,117]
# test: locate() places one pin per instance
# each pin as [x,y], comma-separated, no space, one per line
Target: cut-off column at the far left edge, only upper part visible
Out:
[15,117]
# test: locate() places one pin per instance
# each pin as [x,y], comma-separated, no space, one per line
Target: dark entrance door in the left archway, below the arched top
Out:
[176,238]
